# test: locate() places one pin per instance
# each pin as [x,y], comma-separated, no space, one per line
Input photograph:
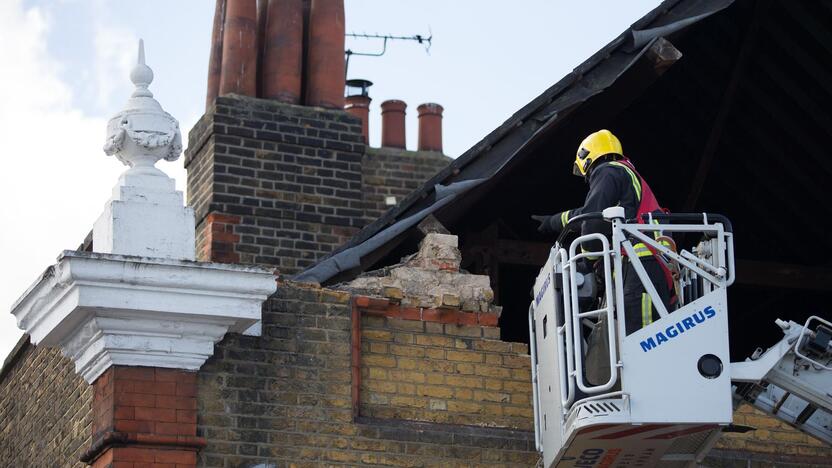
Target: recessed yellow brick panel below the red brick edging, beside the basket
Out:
[443,373]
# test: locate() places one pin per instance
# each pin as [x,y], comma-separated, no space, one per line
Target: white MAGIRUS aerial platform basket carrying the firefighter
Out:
[656,397]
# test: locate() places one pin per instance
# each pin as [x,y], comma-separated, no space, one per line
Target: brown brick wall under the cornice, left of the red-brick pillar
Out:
[45,410]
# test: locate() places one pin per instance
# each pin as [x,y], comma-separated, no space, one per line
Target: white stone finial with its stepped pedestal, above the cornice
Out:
[145,216]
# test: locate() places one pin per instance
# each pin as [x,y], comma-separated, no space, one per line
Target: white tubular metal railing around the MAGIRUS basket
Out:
[710,268]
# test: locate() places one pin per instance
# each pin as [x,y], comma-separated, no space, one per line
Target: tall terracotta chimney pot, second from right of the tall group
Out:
[283,51]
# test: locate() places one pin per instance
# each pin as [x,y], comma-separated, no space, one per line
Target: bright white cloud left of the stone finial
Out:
[55,177]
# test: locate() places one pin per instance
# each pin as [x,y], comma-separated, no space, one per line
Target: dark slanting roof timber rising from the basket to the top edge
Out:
[740,65]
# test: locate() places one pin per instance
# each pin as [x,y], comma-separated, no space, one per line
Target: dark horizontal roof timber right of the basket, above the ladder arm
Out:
[783,276]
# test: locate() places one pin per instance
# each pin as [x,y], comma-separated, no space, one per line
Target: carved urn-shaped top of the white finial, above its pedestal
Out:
[143,132]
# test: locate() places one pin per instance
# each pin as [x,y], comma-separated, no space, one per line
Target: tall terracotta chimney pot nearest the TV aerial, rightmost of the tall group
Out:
[325,59]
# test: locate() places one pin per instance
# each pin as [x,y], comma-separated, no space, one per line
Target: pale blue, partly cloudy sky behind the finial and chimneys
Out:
[65,73]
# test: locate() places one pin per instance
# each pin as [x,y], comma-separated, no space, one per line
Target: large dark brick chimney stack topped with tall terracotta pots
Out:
[283,176]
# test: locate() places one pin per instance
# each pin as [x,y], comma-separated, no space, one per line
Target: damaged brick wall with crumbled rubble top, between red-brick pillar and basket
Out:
[349,377]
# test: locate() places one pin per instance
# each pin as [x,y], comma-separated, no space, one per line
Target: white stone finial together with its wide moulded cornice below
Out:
[139,299]
